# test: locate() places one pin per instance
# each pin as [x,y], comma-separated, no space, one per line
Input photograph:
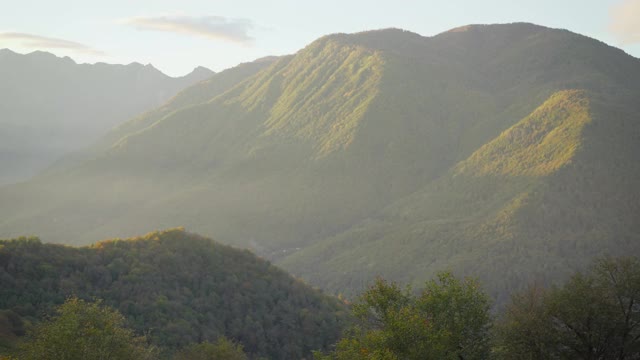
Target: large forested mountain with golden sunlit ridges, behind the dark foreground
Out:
[503,151]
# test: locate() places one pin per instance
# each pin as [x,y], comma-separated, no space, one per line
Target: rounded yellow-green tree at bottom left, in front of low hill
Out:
[84,330]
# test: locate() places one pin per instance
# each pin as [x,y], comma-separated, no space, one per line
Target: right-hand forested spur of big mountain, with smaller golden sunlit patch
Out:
[543,197]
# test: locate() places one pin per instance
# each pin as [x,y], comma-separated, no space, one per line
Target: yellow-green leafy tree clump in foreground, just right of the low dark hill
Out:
[449,319]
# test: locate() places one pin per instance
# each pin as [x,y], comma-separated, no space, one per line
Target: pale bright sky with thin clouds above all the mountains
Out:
[177,36]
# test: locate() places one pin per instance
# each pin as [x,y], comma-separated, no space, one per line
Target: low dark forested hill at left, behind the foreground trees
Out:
[175,287]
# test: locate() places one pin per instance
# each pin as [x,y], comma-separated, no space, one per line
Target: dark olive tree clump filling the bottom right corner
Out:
[595,315]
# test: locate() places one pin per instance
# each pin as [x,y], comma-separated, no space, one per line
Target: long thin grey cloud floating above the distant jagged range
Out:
[212,27]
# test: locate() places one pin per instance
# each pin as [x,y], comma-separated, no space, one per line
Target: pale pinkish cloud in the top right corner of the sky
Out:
[625,21]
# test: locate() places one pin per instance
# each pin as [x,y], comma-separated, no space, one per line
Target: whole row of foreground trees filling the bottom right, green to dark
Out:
[594,315]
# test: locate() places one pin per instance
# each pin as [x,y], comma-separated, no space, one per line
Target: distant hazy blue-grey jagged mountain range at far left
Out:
[51,106]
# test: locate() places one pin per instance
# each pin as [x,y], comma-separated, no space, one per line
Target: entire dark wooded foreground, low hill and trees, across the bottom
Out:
[175,295]
